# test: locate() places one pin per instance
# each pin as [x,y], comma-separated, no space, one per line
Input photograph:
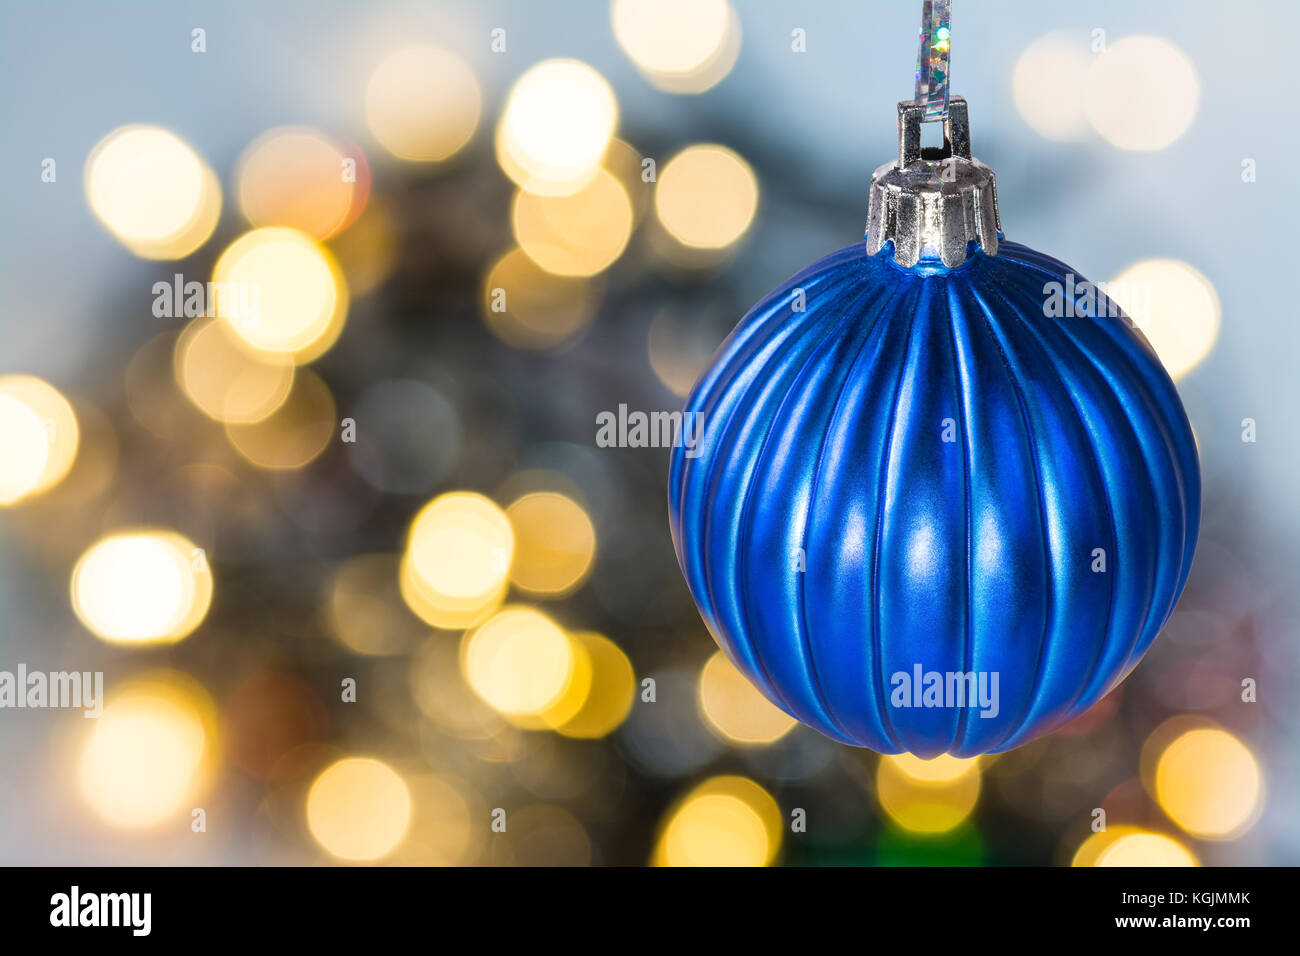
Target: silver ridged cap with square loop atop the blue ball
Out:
[934,202]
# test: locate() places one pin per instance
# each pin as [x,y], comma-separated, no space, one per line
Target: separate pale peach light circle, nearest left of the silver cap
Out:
[707,197]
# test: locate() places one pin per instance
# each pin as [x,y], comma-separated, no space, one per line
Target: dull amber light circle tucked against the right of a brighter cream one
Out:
[554,543]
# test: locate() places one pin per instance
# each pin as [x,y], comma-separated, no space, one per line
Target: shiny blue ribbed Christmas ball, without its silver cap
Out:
[824,438]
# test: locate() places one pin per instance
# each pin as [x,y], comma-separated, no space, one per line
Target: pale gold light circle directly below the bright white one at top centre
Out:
[578,235]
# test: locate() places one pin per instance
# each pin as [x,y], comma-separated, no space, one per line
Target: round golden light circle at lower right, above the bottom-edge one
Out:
[1210,784]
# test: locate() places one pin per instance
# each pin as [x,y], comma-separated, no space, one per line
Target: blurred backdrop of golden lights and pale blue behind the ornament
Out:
[359,577]
